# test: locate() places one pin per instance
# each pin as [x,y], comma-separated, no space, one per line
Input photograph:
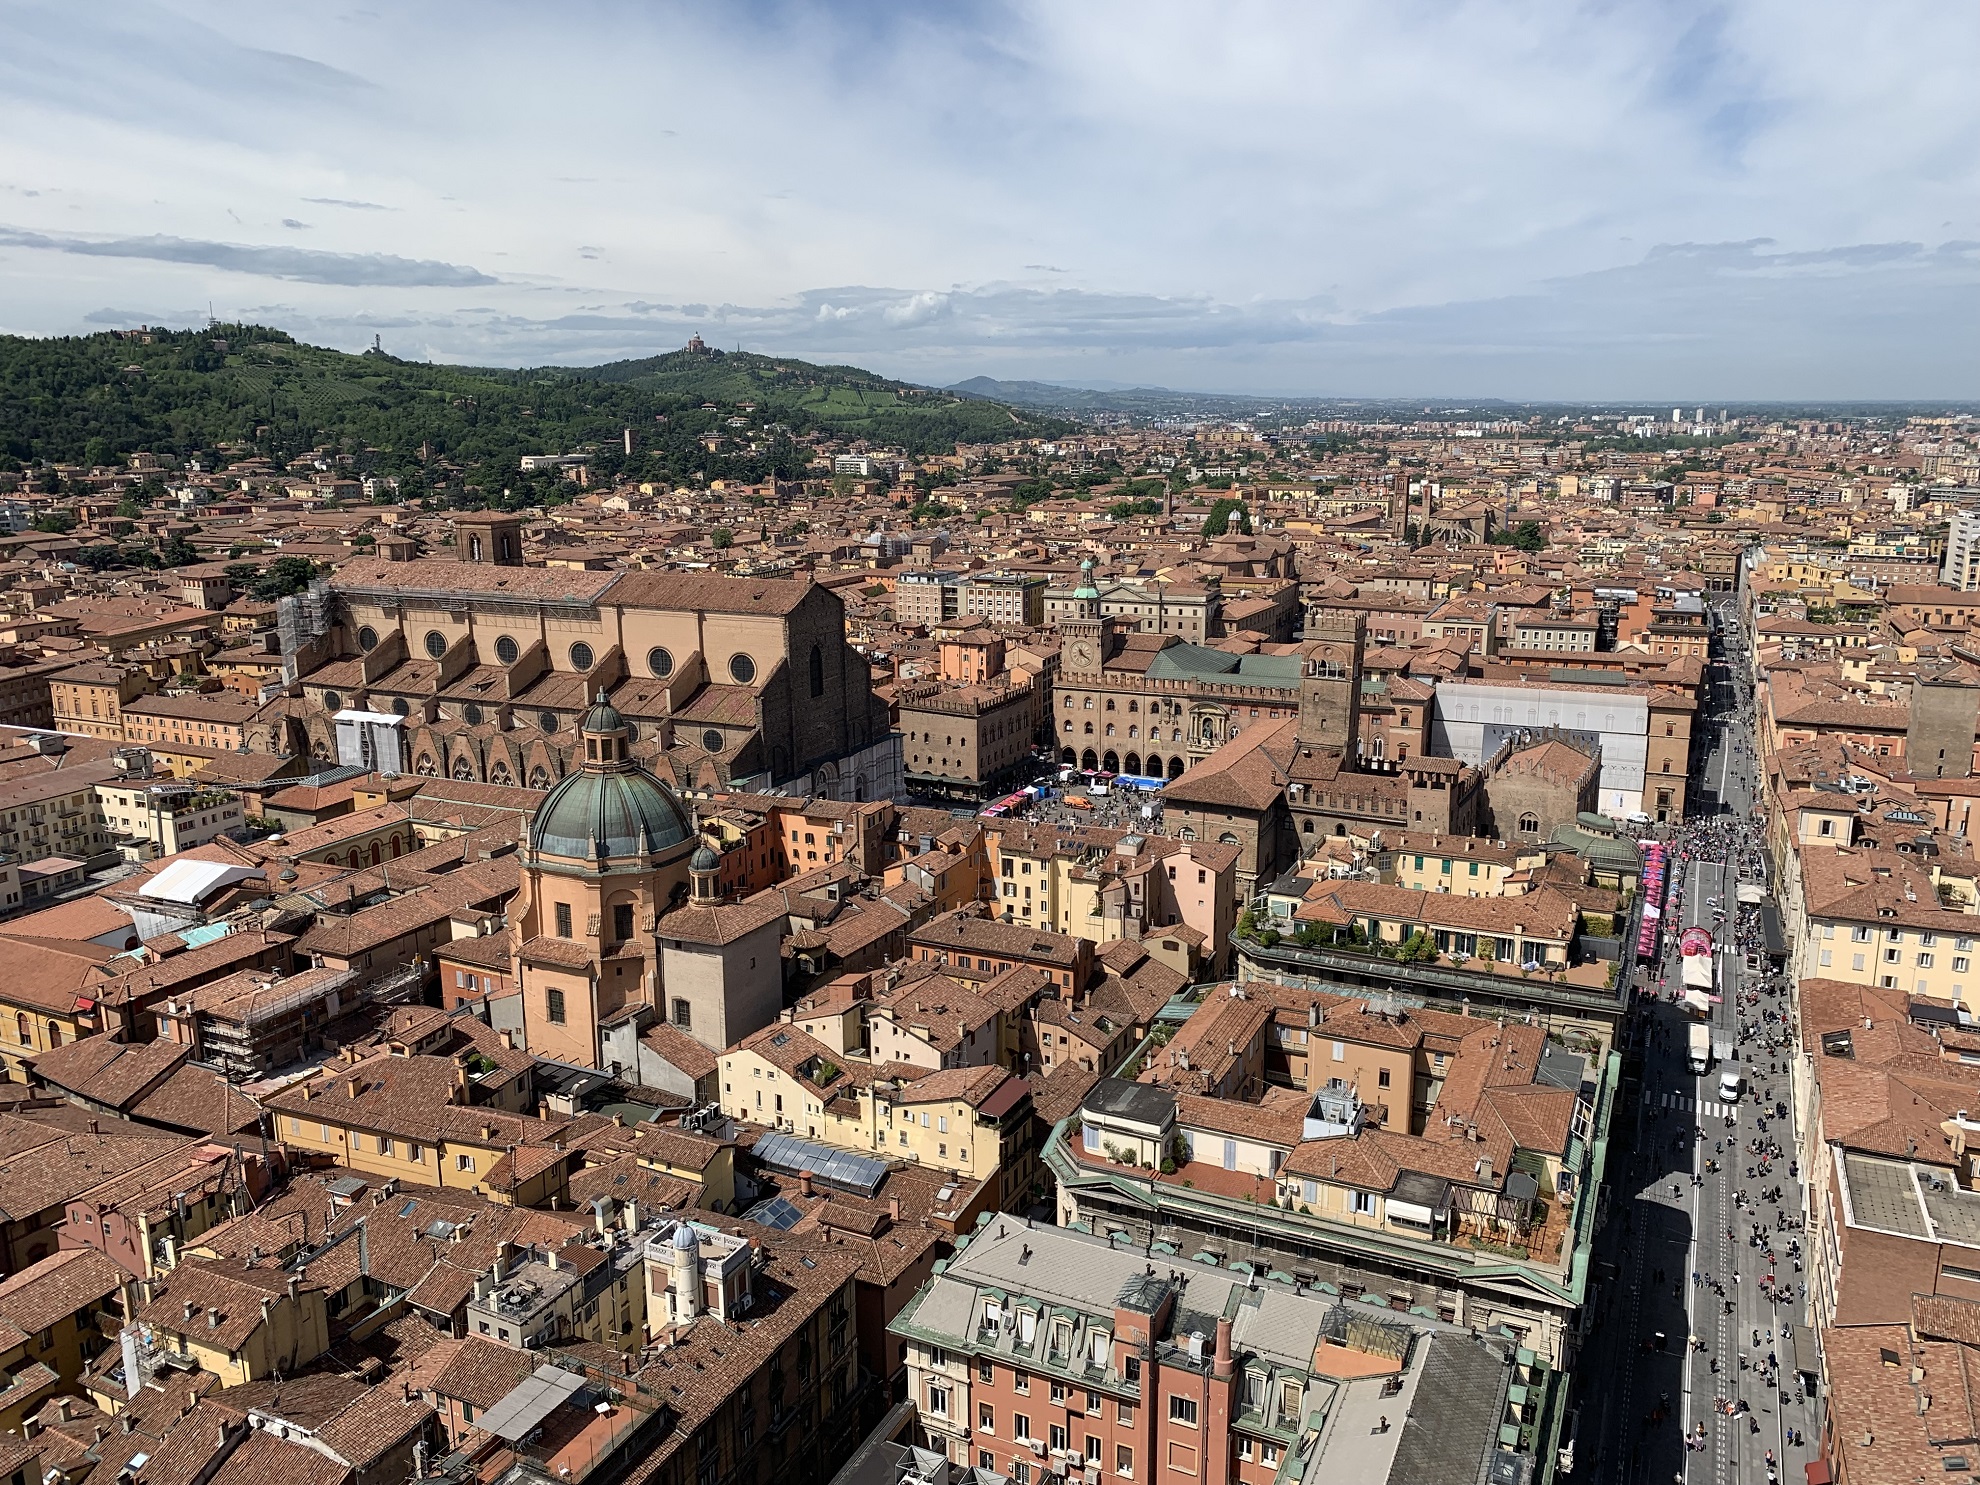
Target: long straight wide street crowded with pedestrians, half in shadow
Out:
[1690,1371]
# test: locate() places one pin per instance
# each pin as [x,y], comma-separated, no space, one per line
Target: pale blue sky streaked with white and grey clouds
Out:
[1607,201]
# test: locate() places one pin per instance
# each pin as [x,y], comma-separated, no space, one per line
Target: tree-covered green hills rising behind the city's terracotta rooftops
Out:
[247,389]
